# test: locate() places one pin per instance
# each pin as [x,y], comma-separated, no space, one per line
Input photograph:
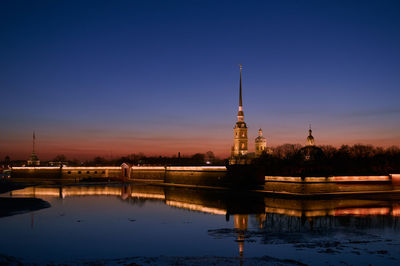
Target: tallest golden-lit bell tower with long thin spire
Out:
[240,142]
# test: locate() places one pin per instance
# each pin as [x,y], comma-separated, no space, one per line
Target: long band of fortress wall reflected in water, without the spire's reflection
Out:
[223,203]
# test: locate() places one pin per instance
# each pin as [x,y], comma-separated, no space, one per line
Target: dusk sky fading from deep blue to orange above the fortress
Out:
[111,78]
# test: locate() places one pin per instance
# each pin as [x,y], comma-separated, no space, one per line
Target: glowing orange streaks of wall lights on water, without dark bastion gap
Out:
[290,208]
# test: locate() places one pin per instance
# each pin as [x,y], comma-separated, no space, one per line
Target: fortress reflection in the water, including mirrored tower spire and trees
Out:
[270,216]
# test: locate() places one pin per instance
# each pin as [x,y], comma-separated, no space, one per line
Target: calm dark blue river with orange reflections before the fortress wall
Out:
[120,221]
